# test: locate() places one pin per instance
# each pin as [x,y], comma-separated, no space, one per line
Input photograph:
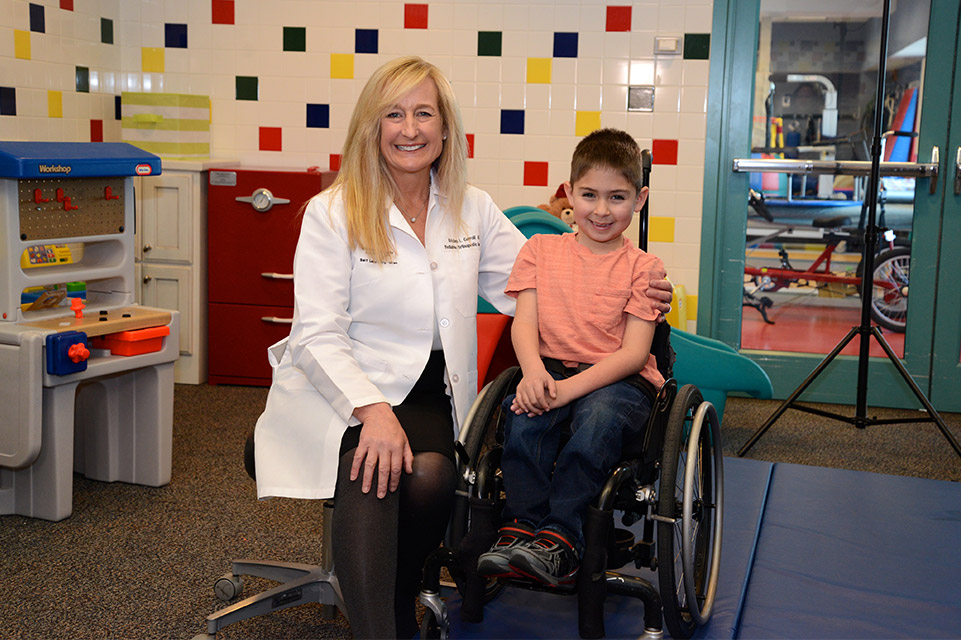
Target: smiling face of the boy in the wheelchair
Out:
[604,203]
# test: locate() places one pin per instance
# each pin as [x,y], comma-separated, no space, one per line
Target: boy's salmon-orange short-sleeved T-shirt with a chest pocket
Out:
[582,297]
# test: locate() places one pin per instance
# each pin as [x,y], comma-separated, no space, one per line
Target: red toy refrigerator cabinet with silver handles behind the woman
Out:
[253,222]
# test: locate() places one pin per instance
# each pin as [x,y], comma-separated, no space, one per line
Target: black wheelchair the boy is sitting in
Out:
[670,483]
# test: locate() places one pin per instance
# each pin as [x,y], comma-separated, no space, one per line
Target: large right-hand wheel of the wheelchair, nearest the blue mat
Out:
[690,500]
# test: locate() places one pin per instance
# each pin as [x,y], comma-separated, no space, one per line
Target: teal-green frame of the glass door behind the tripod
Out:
[724,220]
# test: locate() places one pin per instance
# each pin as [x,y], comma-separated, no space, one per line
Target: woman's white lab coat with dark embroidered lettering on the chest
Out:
[362,331]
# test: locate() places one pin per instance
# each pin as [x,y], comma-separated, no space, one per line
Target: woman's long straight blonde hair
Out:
[364,179]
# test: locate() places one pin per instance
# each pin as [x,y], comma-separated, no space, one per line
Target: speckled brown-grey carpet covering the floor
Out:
[139,562]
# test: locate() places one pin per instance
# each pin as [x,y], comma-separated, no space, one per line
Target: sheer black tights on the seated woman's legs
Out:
[380,544]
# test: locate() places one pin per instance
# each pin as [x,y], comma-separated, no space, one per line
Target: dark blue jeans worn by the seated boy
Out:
[551,489]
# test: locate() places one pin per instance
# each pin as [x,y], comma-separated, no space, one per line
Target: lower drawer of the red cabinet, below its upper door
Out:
[238,341]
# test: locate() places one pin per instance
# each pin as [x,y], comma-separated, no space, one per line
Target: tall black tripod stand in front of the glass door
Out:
[865,331]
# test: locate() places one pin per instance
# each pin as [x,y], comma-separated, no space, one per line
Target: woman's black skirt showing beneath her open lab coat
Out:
[425,414]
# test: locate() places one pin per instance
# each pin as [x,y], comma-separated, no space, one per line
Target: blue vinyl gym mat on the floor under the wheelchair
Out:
[808,552]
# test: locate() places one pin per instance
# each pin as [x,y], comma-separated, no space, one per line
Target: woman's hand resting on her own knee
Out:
[382,450]
